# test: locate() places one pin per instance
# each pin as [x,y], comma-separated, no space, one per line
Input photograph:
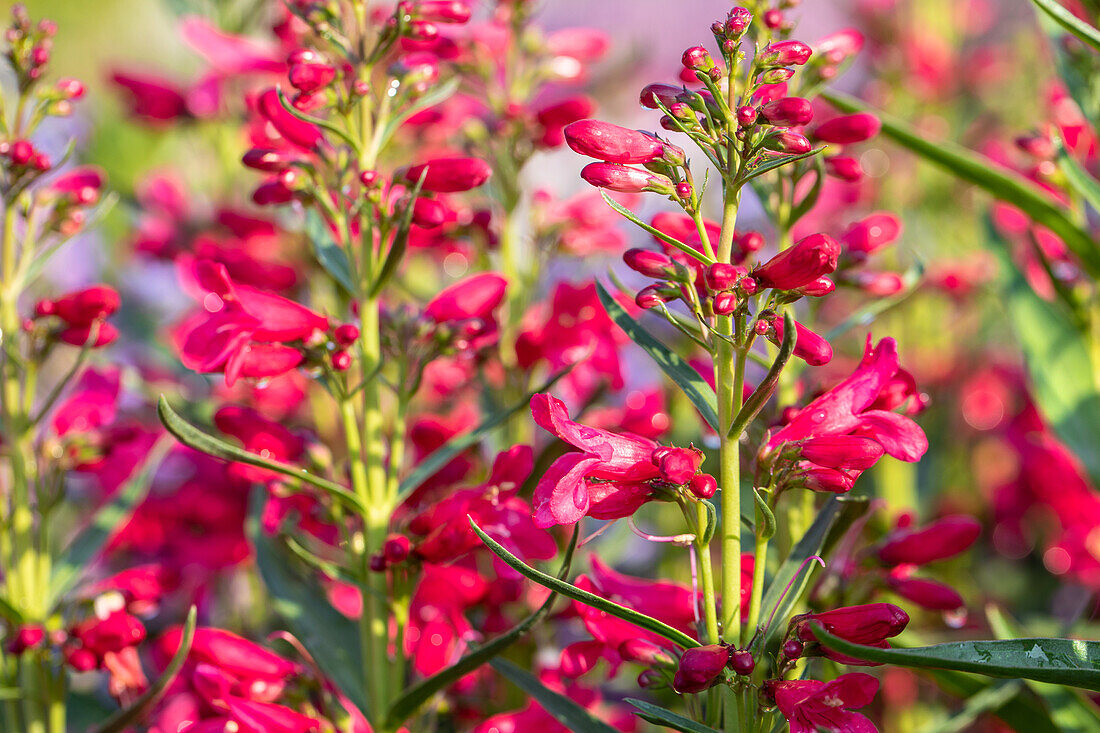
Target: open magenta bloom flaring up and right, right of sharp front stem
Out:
[848,410]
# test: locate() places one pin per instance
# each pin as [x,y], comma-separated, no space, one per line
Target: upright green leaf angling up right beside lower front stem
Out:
[794,575]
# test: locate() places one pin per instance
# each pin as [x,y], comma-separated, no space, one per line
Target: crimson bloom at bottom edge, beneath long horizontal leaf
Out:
[810,705]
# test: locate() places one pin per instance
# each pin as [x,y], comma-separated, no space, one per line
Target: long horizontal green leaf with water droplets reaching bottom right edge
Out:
[1074,663]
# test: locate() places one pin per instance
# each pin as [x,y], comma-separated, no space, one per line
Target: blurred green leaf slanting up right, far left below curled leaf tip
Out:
[87,545]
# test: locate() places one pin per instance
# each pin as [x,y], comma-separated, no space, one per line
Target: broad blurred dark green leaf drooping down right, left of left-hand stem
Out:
[332,638]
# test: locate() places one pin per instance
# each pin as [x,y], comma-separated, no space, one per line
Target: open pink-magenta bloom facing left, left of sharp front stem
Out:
[610,479]
